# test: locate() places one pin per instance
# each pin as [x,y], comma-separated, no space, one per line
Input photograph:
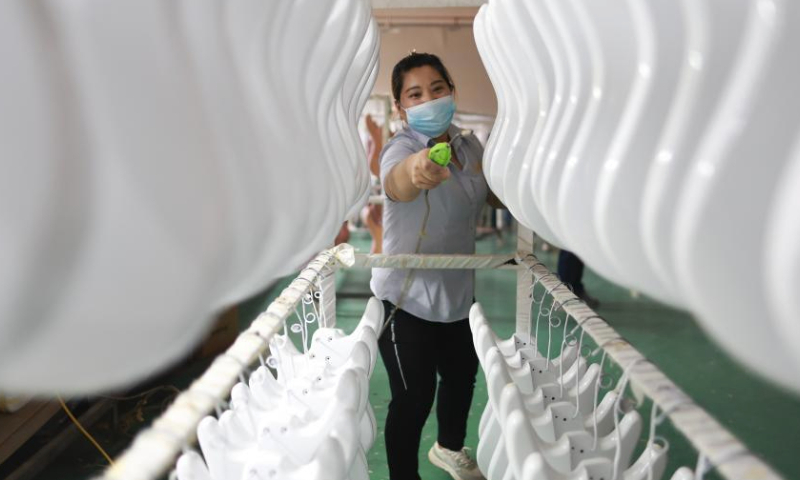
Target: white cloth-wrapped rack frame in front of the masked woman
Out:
[154,451]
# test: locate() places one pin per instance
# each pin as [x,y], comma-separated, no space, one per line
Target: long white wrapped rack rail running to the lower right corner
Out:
[721,448]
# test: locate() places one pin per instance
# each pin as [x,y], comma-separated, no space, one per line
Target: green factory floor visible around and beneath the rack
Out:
[765,418]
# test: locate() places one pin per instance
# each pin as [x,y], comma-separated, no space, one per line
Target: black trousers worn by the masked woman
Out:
[414,351]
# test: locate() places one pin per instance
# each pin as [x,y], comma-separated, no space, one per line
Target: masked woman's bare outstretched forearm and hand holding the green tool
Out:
[412,175]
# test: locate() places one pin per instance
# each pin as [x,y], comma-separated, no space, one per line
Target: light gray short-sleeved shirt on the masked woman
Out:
[434,295]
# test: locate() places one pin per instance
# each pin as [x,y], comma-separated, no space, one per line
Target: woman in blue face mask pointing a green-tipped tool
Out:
[428,209]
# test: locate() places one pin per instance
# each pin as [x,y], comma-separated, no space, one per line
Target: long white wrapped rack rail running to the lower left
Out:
[154,450]
